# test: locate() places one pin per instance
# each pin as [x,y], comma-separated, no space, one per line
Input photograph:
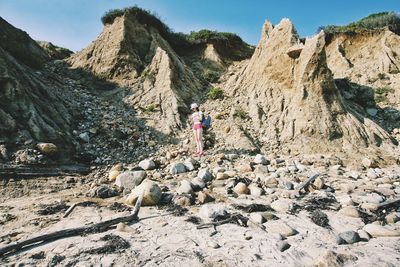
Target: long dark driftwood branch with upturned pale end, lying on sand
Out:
[95,228]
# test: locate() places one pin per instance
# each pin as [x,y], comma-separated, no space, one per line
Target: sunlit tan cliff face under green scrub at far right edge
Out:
[370,58]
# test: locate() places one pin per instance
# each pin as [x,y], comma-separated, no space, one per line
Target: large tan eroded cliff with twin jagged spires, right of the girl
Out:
[295,103]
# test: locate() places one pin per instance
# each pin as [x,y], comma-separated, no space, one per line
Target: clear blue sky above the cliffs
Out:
[75,23]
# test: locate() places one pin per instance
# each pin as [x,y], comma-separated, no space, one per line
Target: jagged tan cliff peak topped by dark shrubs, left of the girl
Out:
[136,56]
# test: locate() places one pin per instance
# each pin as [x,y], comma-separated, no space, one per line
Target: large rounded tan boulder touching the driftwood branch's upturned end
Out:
[152,194]
